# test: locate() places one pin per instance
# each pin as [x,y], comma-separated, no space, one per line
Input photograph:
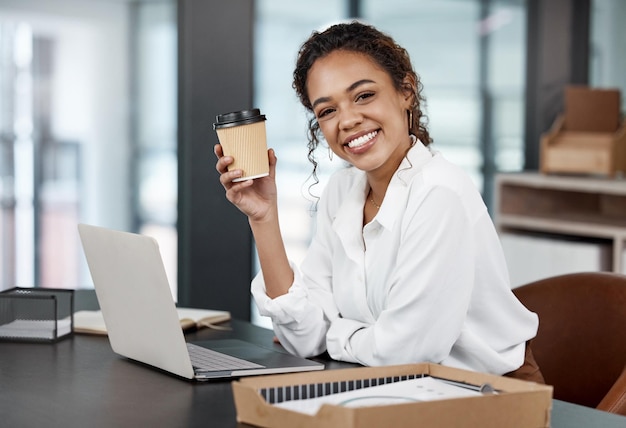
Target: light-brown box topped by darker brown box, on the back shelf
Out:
[588,138]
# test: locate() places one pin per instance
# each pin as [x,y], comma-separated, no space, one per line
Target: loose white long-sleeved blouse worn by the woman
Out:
[425,280]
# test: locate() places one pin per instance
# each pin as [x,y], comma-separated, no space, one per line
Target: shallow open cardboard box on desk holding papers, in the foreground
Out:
[517,403]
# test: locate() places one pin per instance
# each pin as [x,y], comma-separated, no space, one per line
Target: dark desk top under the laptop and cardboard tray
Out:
[79,381]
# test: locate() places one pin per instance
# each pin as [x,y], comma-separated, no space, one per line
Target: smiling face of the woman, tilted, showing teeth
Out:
[361,114]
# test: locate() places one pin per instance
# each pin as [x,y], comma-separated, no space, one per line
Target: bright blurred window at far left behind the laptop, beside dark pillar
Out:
[87,97]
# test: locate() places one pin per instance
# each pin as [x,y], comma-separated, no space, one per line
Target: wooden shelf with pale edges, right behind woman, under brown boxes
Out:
[576,206]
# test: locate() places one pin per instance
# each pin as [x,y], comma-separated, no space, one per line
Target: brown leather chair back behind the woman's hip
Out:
[581,343]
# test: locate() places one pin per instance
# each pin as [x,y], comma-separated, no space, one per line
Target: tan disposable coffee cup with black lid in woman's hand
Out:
[242,136]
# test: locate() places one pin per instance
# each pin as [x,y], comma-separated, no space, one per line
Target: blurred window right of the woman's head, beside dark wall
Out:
[470,55]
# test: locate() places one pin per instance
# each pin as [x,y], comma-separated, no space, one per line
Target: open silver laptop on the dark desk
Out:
[141,319]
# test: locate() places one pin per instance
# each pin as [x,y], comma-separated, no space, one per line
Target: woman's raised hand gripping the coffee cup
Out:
[255,198]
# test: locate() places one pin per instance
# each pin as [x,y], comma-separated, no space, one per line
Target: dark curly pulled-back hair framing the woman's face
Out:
[382,49]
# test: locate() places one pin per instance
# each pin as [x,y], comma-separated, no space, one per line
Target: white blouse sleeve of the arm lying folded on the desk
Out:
[428,293]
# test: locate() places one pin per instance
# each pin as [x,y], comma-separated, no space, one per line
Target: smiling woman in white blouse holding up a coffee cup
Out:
[405,265]
